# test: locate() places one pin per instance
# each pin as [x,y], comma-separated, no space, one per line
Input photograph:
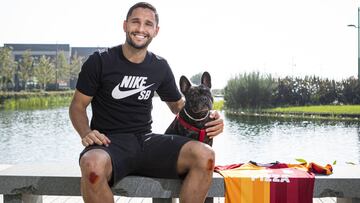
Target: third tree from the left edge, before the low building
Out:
[44,72]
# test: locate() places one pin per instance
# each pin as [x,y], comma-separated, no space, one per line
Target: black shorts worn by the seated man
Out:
[153,155]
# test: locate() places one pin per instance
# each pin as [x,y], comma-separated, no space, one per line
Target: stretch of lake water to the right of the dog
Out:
[264,140]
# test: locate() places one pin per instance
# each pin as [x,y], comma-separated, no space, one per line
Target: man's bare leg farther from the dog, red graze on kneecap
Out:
[96,170]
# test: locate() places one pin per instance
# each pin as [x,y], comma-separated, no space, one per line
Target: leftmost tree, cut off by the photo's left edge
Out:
[7,68]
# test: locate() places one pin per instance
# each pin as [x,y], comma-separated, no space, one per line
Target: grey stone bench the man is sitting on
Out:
[53,179]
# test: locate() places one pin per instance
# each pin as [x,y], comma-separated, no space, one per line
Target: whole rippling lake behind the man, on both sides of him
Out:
[44,136]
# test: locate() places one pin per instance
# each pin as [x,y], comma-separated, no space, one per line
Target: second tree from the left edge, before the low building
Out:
[26,68]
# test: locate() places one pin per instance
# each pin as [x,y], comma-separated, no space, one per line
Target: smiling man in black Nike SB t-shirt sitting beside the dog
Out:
[120,83]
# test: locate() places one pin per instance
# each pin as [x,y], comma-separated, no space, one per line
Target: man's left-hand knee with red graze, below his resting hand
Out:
[95,165]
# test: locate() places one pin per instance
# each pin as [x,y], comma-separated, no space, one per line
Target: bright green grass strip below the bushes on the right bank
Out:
[321,109]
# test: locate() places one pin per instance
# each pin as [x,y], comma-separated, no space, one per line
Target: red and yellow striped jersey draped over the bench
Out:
[268,183]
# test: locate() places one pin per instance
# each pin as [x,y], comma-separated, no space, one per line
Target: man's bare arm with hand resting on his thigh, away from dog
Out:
[80,121]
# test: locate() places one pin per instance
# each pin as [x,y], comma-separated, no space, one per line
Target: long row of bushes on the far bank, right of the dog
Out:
[256,91]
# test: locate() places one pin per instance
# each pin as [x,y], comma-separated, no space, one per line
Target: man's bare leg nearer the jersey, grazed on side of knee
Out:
[197,160]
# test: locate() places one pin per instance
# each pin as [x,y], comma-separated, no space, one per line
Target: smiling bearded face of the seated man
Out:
[140,28]
